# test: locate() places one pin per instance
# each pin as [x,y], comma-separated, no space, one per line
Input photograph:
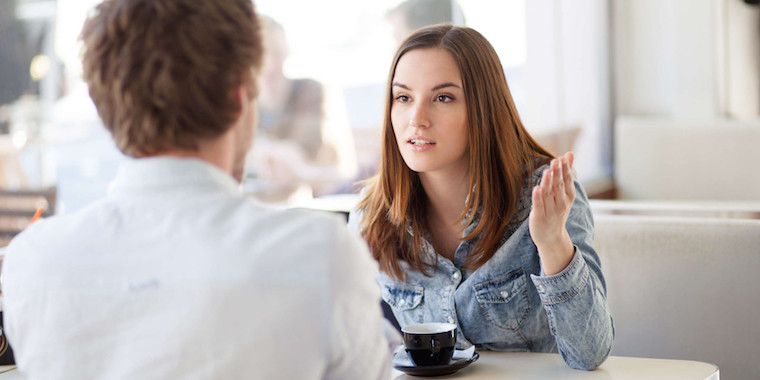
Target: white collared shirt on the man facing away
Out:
[175,275]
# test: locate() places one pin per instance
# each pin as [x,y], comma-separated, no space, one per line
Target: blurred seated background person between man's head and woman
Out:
[305,146]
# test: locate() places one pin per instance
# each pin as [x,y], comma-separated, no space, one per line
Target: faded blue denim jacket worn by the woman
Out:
[508,304]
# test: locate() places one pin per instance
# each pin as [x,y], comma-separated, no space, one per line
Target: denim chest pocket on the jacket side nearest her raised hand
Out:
[504,299]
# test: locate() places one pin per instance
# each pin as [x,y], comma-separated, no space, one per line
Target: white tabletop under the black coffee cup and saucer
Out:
[520,365]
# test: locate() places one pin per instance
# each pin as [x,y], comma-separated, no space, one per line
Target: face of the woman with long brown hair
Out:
[429,112]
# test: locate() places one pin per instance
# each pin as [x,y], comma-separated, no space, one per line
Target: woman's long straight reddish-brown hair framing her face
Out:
[501,155]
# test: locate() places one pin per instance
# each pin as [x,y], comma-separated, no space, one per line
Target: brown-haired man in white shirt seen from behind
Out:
[175,275]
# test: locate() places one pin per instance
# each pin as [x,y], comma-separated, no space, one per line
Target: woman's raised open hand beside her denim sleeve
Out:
[552,200]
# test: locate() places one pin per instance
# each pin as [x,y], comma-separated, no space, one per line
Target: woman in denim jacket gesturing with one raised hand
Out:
[474,223]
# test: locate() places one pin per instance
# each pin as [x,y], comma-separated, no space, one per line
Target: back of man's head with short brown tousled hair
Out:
[166,75]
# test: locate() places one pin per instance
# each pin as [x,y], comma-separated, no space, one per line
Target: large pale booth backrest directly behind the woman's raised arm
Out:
[684,288]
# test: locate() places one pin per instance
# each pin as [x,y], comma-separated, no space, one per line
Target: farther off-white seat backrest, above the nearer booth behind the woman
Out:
[662,159]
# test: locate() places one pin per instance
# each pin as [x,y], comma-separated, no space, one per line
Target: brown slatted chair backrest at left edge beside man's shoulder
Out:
[17,207]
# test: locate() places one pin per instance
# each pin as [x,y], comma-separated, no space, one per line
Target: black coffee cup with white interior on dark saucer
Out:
[429,344]
